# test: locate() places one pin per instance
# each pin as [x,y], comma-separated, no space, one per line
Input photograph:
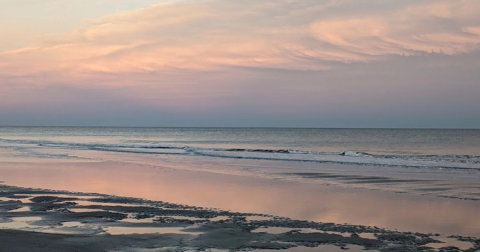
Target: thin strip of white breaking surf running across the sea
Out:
[345,157]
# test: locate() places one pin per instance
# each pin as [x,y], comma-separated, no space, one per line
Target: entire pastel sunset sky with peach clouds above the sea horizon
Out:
[280,63]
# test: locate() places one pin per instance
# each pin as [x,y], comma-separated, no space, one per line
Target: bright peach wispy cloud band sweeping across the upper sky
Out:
[286,34]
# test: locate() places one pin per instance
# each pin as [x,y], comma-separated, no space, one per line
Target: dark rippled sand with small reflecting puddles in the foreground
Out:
[46,220]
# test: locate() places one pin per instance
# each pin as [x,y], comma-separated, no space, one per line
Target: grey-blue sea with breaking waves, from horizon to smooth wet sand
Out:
[419,148]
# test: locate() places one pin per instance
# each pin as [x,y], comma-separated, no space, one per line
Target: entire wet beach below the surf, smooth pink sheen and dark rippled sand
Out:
[311,205]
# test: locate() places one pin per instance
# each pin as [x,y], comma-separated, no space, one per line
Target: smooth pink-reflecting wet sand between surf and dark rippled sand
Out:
[248,194]
